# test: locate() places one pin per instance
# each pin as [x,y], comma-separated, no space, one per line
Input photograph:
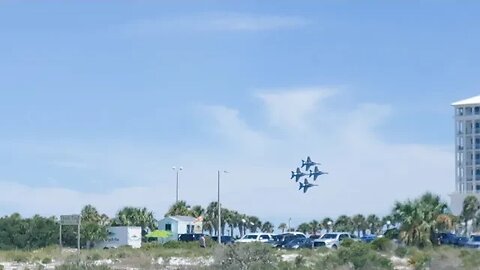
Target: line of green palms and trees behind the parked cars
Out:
[416,222]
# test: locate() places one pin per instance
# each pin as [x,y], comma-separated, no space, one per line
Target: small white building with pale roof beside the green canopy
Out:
[180,225]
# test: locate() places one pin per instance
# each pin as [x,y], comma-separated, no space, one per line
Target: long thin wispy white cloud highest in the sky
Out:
[216,22]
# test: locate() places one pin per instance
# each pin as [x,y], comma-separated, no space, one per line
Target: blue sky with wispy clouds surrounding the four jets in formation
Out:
[99,99]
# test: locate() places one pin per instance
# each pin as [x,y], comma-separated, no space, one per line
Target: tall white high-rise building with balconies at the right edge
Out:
[467,151]
